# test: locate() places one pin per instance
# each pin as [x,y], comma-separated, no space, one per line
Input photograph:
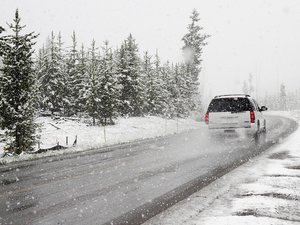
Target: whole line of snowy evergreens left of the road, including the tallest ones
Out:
[97,81]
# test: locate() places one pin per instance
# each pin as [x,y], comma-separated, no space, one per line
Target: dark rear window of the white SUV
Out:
[230,105]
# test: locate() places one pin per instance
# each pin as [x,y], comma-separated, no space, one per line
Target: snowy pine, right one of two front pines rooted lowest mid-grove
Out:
[108,87]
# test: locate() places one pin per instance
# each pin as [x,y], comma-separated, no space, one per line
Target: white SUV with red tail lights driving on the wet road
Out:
[233,112]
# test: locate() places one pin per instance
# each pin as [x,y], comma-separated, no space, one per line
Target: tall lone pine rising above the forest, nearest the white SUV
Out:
[194,41]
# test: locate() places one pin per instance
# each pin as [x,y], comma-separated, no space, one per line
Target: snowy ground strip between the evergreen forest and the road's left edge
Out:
[64,132]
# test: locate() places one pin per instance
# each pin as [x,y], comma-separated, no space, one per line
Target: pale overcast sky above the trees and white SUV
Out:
[254,36]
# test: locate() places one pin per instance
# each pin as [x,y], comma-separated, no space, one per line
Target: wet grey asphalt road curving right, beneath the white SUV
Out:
[125,184]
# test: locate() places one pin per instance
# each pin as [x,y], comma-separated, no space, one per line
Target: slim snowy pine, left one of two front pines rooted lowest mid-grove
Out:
[91,92]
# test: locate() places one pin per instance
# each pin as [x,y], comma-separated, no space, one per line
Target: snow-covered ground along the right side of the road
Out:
[265,190]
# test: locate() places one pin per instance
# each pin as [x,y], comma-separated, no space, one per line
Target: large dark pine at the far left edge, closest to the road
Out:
[16,85]
